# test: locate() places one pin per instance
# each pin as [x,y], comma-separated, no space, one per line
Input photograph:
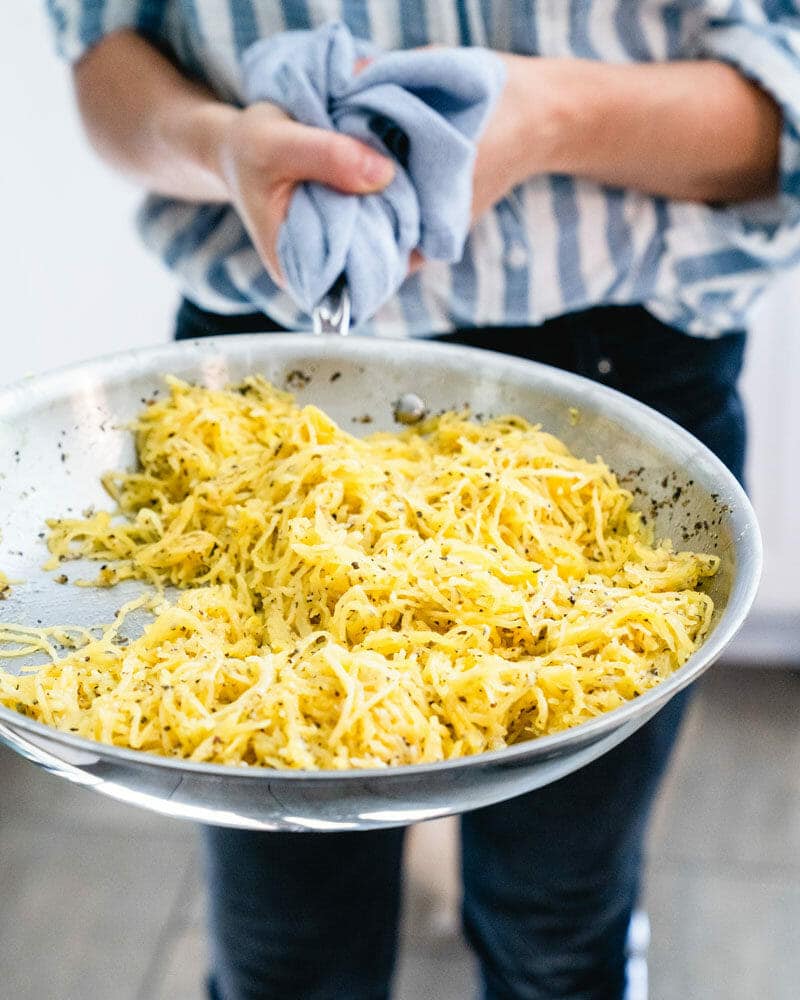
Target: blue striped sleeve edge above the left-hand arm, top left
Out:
[78,25]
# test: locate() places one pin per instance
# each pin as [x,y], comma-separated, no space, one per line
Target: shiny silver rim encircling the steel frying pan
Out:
[743,526]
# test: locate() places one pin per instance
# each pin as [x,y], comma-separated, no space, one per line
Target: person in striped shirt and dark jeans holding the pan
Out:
[634,192]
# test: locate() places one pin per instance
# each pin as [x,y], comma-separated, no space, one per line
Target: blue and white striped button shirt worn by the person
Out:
[556,244]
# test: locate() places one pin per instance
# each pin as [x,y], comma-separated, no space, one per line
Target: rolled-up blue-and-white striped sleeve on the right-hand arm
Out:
[762,41]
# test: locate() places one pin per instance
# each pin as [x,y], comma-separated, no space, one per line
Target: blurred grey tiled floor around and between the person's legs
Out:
[101,901]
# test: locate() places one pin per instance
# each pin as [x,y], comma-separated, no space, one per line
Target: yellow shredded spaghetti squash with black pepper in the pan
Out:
[349,602]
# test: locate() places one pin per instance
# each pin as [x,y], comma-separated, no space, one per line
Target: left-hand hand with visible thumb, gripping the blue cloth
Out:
[263,155]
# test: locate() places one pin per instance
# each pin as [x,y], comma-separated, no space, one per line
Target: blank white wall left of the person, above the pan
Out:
[74,280]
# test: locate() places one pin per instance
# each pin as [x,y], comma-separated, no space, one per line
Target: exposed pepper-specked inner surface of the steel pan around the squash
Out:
[60,432]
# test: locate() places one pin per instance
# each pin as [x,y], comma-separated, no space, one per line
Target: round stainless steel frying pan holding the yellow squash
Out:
[58,432]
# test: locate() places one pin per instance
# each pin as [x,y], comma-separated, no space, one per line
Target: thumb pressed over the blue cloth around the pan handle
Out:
[335,160]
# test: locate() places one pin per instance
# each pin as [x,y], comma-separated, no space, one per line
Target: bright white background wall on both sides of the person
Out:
[75,282]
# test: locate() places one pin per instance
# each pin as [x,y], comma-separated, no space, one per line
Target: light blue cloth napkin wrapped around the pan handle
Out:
[425,108]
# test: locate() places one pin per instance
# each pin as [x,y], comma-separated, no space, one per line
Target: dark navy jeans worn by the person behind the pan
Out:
[550,878]
